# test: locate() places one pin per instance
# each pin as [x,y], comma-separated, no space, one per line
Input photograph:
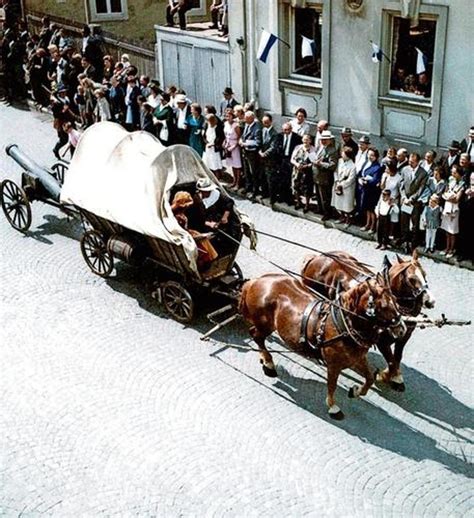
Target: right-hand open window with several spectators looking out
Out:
[412,57]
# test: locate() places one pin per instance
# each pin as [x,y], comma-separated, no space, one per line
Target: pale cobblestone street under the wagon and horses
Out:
[110,408]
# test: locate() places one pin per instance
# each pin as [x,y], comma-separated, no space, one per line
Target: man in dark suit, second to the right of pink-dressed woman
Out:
[268,172]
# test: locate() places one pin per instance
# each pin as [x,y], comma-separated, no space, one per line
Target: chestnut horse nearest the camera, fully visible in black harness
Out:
[340,333]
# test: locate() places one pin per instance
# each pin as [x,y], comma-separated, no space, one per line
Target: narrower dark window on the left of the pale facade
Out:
[306,53]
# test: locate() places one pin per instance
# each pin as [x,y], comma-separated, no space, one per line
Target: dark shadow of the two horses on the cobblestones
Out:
[370,423]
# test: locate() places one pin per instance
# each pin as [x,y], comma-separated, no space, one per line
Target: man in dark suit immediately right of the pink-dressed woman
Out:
[250,143]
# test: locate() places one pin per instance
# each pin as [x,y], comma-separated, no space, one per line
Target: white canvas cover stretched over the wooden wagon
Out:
[127,177]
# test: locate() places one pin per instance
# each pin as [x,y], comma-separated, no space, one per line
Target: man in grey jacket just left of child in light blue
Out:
[411,198]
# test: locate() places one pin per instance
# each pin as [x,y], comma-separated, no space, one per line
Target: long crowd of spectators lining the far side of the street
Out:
[393,193]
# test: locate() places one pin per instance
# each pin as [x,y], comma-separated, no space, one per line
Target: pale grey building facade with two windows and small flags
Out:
[342,84]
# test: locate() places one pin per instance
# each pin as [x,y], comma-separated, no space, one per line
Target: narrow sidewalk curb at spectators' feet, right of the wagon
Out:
[352,230]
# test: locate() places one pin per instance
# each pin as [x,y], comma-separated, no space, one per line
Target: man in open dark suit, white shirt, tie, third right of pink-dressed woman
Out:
[285,145]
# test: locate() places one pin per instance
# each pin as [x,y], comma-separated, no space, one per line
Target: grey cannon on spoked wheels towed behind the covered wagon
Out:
[37,183]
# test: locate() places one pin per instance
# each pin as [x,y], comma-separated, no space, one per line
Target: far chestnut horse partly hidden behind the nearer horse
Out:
[407,282]
